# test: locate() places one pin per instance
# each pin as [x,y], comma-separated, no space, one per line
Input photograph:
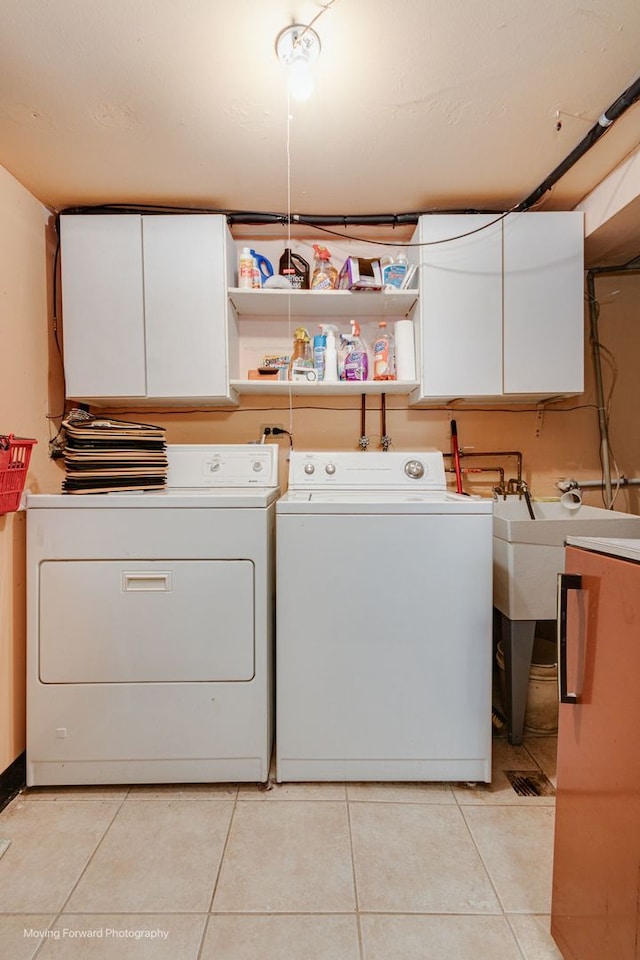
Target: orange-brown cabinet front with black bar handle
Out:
[596,866]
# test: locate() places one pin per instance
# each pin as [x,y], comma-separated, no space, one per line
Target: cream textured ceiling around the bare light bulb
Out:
[419,104]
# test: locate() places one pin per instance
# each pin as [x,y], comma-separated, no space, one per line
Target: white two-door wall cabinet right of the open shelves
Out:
[501,306]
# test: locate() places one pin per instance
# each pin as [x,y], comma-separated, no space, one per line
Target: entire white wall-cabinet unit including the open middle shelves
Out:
[151,311]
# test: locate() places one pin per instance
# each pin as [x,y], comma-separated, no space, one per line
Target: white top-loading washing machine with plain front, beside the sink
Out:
[384,621]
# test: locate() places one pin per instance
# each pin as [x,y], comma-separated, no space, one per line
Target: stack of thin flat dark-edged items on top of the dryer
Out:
[103,455]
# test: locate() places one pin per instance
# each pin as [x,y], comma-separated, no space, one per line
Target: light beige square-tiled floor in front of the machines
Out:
[296,872]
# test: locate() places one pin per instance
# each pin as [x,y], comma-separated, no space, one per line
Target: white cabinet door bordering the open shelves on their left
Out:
[185,305]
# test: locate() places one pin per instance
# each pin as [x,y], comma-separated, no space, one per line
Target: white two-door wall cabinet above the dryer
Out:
[144,307]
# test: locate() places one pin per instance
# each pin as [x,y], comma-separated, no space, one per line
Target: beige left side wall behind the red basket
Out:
[23,411]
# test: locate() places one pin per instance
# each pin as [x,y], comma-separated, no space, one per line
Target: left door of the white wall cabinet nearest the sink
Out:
[461,306]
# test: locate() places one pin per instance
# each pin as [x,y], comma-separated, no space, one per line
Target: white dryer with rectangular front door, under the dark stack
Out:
[150,626]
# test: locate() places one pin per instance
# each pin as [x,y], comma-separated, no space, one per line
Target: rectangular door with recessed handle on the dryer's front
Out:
[117,621]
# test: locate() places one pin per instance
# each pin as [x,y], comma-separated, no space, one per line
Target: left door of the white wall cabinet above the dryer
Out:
[102,295]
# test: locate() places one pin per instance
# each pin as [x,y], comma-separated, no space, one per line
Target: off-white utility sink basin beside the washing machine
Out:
[528,554]
